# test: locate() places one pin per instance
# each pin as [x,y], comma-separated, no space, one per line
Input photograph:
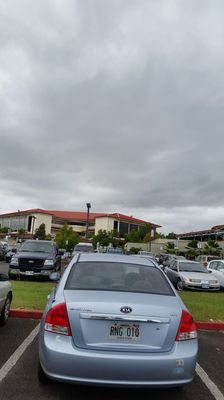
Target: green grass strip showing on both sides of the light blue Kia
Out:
[203,305]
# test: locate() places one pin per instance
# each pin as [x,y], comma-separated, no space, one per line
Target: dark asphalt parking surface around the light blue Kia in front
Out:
[18,370]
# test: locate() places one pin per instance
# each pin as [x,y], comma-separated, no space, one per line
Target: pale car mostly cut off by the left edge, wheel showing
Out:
[5,298]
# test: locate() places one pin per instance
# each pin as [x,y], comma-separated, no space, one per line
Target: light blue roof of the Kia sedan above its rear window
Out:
[119,258]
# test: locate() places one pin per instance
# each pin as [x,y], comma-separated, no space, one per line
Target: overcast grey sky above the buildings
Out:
[118,103]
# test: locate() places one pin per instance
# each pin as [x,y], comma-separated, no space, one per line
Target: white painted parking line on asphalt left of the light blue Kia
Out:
[18,353]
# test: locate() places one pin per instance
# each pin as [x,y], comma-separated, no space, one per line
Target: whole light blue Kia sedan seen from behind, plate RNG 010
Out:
[116,320]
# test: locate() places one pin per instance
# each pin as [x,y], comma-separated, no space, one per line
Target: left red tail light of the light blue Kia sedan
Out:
[57,320]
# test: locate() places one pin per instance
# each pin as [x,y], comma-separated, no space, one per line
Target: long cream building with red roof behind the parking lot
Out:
[30,220]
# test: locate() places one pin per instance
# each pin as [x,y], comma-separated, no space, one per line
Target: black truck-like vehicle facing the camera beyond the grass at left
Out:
[35,258]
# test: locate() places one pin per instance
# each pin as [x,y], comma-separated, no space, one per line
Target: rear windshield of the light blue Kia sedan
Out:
[118,277]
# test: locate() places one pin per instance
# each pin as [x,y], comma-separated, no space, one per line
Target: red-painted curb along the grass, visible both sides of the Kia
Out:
[37,314]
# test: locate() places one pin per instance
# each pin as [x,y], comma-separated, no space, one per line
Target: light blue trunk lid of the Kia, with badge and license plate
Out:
[97,322]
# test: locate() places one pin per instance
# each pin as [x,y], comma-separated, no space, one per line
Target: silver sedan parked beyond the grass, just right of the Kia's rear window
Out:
[186,274]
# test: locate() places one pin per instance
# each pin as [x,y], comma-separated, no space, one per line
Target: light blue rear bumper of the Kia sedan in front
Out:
[62,361]
